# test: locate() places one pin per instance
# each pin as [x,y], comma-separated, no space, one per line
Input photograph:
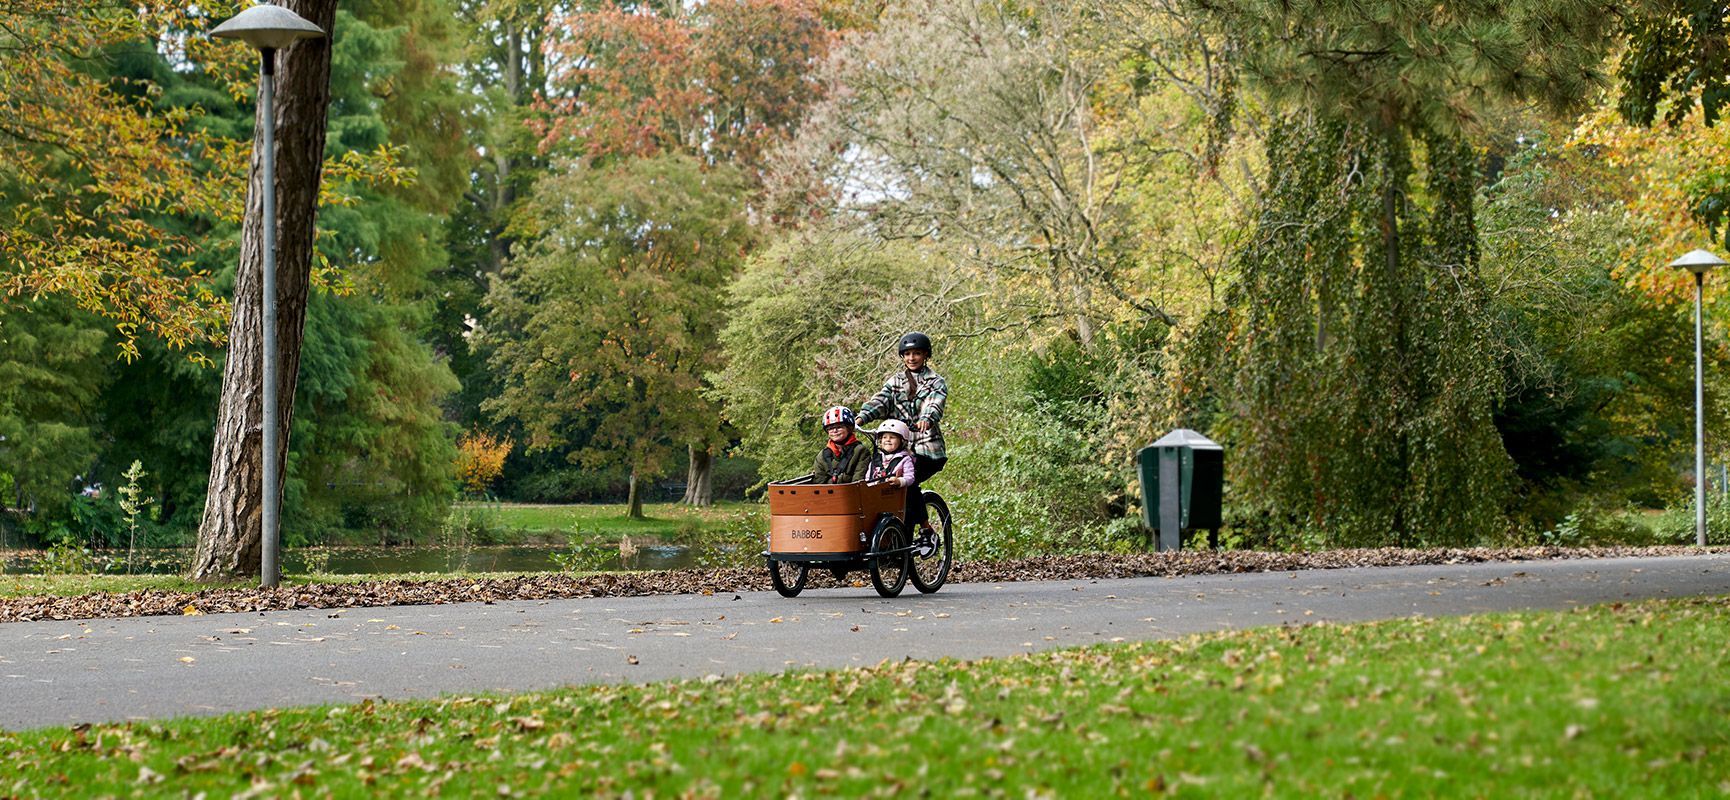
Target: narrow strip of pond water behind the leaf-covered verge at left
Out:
[392,560]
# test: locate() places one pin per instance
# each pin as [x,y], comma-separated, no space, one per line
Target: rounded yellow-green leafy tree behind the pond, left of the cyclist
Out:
[605,328]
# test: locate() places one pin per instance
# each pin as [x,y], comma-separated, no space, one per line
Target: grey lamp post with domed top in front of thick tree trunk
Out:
[269,29]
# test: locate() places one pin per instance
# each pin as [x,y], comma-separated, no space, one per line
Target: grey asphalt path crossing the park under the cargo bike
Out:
[99,671]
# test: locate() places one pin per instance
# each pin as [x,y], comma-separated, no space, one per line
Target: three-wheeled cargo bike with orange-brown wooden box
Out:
[845,527]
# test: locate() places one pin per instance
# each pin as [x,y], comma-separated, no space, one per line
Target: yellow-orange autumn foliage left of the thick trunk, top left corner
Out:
[89,167]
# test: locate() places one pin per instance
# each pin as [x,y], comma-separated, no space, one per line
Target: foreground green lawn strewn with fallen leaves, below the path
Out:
[1610,702]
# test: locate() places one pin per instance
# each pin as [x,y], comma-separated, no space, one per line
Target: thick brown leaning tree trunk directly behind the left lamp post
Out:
[229,536]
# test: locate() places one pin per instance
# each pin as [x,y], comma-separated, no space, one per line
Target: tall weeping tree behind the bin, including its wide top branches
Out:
[1354,359]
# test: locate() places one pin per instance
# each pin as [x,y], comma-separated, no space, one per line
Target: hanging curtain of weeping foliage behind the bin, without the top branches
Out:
[1352,363]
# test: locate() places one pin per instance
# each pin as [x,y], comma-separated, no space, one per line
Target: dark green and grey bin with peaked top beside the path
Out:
[1182,487]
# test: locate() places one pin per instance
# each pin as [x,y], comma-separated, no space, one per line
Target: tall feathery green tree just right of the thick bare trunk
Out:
[373,449]
